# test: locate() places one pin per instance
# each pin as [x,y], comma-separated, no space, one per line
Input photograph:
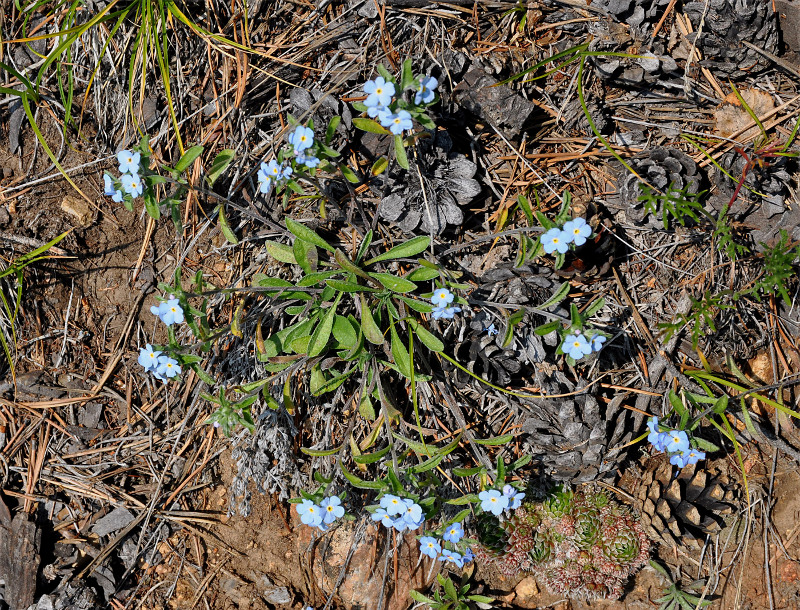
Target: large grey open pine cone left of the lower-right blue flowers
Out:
[573,437]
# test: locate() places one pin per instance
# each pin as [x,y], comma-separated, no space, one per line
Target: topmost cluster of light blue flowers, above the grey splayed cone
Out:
[391,113]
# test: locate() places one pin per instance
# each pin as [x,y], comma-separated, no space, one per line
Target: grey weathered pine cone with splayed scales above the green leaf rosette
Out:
[433,204]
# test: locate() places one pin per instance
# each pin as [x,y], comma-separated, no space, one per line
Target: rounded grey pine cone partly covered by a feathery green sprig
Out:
[664,168]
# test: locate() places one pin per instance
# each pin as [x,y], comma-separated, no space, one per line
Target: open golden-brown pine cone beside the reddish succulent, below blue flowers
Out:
[680,511]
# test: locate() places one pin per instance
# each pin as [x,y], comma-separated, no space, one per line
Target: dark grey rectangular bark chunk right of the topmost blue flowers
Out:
[499,104]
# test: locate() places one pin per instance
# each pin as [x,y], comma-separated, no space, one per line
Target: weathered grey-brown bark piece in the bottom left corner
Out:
[20,541]
